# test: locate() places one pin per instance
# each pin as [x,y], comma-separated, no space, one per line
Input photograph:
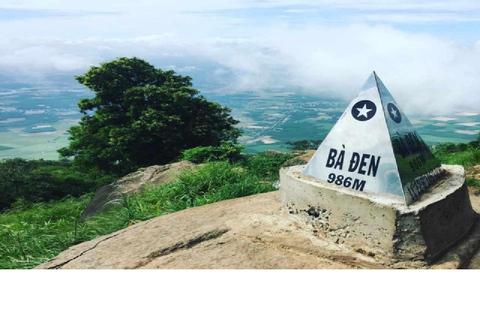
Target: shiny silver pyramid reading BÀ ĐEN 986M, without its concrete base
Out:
[374,148]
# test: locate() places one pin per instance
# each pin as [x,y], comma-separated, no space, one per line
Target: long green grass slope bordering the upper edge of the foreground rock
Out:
[33,234]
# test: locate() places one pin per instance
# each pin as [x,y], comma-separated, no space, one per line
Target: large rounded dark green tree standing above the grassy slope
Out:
[141,116]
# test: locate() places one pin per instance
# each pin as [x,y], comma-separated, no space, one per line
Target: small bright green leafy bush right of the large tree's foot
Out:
[225,152]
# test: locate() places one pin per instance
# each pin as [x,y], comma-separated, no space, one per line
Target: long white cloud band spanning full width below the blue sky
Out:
[424,73]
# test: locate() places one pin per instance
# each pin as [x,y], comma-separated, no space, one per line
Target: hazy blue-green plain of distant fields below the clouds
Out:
[33,123]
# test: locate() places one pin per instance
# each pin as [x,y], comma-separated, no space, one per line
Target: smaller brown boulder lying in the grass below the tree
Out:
[134,183]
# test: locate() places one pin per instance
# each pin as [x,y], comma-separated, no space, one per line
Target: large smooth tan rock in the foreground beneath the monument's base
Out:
[249,232]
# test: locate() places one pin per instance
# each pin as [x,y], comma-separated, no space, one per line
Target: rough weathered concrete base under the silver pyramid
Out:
[377,224]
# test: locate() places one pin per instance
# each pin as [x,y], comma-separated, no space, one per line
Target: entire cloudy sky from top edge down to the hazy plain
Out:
[426,52]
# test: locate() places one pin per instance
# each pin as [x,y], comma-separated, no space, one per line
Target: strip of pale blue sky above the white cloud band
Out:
[457,20]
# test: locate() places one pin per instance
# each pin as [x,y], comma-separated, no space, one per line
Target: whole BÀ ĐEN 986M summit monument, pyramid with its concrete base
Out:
[374,185]
